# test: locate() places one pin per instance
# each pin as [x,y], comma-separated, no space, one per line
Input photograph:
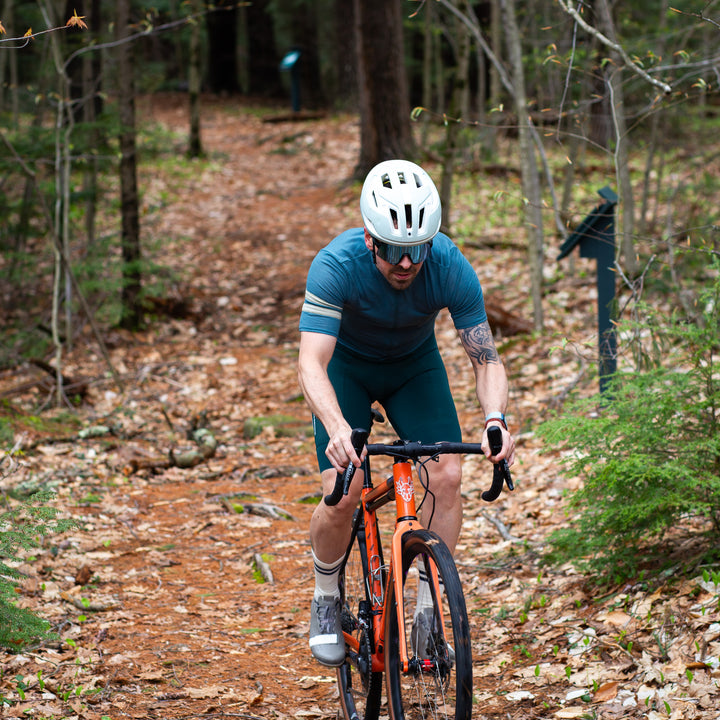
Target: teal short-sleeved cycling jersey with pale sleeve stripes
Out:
[346,296]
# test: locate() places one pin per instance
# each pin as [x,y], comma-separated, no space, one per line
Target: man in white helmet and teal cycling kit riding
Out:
[366,335]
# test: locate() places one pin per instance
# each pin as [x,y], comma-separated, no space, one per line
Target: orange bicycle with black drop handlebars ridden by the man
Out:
[427,661]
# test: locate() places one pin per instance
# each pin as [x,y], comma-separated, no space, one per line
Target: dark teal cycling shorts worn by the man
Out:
[414,392]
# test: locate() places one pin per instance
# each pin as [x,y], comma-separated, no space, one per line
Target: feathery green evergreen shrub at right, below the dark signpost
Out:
[648,451]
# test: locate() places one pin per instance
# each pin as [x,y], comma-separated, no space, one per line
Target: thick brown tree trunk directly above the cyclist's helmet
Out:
[385,131]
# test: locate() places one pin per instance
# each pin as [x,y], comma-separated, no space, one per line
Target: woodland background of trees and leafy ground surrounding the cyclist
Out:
[161,200]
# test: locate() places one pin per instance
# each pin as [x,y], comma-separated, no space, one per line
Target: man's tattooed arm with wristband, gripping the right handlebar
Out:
[490,382]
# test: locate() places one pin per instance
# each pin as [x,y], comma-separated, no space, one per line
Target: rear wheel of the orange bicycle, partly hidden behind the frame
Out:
[359,687]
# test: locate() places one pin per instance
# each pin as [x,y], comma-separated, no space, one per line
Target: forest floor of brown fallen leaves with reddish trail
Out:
[157,597]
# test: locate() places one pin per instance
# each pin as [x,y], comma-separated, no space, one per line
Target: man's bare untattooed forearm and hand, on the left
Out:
[316,350]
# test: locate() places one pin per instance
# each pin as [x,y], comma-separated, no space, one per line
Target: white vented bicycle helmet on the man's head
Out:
[400,204]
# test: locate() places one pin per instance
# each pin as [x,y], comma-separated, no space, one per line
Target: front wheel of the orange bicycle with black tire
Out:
[440,689]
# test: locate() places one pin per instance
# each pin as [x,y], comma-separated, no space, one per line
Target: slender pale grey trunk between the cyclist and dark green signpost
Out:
[528,165]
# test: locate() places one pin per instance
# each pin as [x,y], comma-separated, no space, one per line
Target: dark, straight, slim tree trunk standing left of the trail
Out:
[131,310]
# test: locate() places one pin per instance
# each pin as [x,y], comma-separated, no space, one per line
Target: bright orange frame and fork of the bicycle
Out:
[400,488]
